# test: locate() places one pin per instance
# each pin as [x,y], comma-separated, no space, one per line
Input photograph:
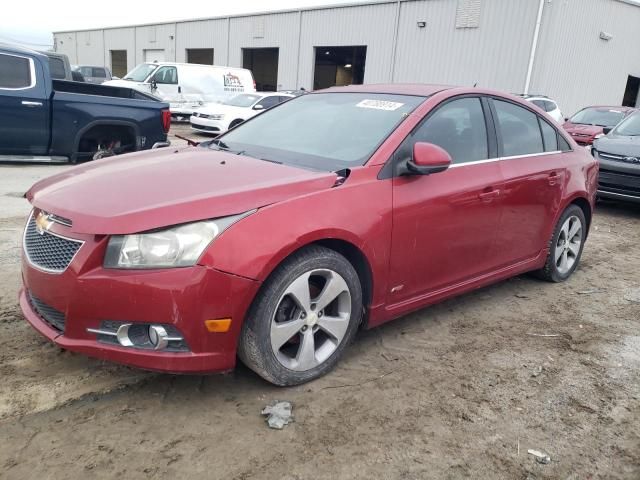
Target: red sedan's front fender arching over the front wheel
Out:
[358,212]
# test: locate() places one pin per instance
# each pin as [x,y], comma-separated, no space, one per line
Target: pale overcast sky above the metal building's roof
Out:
[32,22]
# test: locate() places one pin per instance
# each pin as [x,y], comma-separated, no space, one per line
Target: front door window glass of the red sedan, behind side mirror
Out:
[459,128]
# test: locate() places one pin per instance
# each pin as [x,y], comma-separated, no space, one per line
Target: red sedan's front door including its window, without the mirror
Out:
[444,225]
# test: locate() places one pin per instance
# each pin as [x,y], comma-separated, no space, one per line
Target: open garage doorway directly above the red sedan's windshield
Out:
[338,66]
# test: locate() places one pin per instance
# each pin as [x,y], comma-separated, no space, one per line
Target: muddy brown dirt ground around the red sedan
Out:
[459,390]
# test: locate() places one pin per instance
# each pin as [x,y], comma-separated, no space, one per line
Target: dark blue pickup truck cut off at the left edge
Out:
[44,119]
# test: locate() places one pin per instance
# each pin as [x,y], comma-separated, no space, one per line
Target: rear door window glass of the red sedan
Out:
[519,130]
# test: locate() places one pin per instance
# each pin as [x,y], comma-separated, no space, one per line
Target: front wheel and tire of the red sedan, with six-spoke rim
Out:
[303,318]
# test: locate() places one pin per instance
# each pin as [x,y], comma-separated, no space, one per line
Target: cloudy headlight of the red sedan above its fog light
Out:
[179,246]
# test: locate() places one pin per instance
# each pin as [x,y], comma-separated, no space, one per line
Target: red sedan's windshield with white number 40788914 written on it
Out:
[322,131]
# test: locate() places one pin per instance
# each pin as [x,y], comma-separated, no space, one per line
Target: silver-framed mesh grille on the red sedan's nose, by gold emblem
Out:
[48,251]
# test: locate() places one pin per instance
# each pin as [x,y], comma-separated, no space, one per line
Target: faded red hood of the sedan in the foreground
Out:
[157,188]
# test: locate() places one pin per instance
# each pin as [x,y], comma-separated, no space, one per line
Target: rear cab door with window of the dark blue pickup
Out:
[24,108]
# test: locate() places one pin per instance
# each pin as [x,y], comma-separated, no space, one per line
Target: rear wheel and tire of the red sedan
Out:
[565,246]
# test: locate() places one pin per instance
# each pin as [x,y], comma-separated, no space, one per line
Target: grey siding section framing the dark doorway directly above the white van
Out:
[203,34]
